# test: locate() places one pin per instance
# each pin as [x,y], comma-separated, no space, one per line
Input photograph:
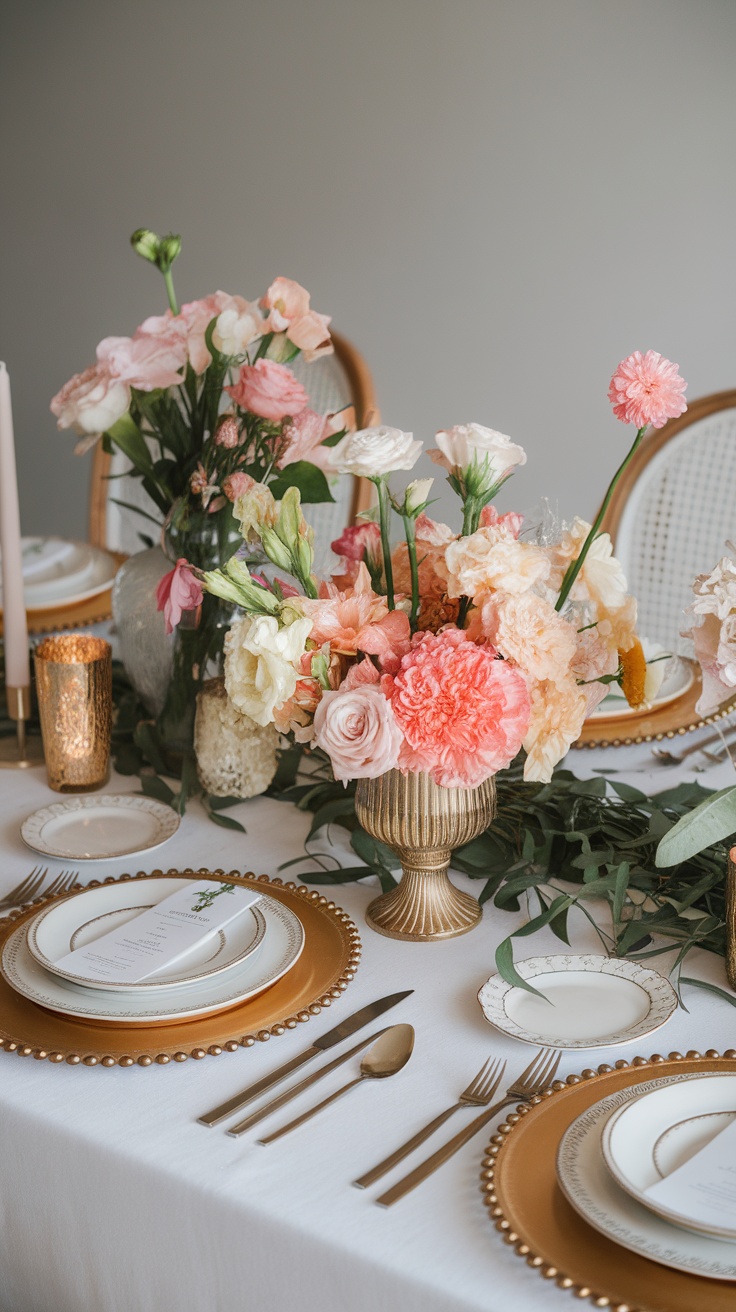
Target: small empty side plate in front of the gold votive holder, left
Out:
[100,829]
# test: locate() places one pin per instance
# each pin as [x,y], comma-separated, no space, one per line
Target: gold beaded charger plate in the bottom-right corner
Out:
[528,1206]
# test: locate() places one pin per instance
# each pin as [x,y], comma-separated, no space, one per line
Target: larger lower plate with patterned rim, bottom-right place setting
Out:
[592,1191]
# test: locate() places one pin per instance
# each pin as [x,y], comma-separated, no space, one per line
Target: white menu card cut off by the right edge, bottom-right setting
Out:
[704,1189]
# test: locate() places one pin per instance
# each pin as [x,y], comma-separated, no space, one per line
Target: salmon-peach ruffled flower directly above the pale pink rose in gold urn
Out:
[358,620]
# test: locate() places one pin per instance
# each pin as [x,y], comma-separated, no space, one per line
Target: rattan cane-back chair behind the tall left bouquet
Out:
[333,382]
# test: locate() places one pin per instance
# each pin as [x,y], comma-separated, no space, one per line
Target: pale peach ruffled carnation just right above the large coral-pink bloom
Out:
[528,630]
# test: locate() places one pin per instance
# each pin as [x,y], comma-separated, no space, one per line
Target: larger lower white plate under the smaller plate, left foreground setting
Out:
[280,949]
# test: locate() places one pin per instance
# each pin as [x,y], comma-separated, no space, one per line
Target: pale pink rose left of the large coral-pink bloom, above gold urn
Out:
[358,730]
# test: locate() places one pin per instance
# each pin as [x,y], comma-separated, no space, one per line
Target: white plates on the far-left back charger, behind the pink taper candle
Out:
[60,571]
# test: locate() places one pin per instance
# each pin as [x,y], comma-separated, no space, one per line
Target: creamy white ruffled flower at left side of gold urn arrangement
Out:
[260,665]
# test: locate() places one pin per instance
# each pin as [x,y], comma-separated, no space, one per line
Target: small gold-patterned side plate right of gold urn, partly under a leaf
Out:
[588,1002]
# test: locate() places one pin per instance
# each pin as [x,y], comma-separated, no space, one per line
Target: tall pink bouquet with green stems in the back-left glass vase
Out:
[204,403]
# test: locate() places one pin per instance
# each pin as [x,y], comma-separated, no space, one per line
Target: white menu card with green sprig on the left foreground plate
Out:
[161,935]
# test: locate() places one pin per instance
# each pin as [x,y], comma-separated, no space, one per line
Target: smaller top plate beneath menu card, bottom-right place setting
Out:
[661,1132]
